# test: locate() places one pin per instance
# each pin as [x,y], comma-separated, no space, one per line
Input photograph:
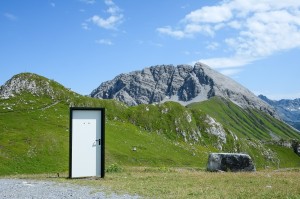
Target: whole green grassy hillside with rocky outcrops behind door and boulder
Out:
[34,130]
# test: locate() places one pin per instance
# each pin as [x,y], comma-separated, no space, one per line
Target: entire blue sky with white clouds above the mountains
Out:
[82,43]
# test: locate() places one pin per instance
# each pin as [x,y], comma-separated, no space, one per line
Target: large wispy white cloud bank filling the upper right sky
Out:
[258,29]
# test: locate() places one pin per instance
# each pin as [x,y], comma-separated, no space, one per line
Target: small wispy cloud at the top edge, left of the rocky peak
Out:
[114,19]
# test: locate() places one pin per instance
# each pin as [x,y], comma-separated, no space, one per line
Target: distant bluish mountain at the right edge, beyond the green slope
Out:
[288,110]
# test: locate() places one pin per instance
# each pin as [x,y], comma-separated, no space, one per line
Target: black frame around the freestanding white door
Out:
[102,135]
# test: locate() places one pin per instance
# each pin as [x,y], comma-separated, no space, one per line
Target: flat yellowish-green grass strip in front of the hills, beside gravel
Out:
[163,182]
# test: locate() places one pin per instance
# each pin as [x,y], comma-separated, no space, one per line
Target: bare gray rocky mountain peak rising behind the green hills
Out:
[184,84]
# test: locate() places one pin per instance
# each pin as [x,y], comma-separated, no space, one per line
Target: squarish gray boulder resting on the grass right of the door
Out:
[230,162]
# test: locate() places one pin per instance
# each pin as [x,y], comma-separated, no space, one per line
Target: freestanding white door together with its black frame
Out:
[87,130]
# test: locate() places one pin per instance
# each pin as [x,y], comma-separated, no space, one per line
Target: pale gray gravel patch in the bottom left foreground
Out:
[25,189]
